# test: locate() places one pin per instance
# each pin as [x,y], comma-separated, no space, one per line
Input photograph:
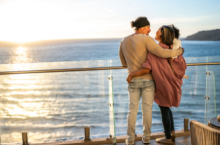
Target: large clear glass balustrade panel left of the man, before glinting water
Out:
[54,106]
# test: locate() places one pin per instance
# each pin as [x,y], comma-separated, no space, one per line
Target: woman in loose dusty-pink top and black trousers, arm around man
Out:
[167,74]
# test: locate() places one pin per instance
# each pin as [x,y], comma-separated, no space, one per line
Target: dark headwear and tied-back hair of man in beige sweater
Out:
[140,22]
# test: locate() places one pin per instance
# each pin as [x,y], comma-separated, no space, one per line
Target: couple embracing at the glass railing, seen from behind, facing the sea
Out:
[155,74]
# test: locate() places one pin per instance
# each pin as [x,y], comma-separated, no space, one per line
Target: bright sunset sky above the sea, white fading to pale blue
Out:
[31,20]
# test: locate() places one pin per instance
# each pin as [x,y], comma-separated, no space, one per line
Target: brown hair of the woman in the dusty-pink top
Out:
[167,35]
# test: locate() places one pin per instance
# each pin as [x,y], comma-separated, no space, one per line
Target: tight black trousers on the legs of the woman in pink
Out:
[167,119]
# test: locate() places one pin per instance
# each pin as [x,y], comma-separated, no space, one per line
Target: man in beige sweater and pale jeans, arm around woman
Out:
[133,53]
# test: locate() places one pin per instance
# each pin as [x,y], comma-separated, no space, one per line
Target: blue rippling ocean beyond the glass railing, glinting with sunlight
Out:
[57,106]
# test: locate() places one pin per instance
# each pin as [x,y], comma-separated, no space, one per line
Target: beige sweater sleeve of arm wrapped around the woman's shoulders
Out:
[155,49]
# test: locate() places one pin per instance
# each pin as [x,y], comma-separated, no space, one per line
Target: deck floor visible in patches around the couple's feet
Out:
[184,140]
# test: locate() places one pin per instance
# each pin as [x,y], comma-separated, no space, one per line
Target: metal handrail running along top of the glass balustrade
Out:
[86,69]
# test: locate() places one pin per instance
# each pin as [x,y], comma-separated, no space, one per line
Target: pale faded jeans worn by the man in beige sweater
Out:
[137,88]
